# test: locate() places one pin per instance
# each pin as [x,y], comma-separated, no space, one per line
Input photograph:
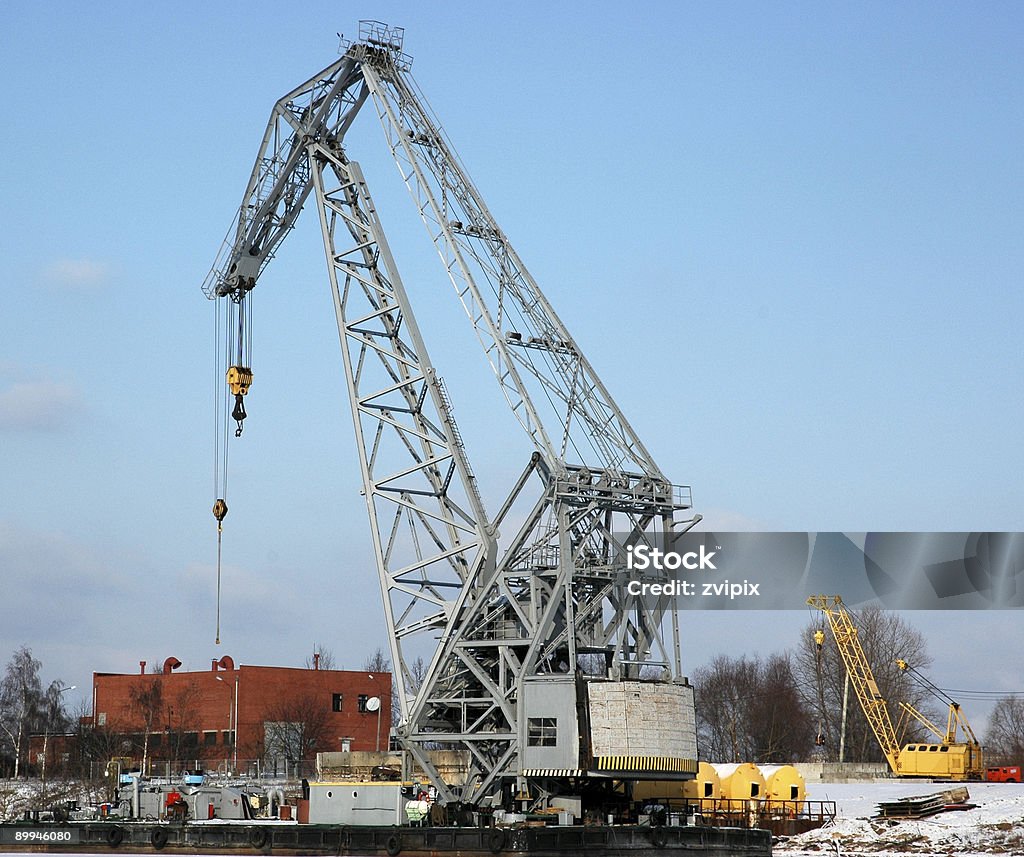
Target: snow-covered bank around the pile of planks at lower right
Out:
[995,827]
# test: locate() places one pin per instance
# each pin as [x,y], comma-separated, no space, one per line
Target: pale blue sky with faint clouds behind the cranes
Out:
[788,236]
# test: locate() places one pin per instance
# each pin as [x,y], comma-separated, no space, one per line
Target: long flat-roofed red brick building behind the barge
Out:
[234,715]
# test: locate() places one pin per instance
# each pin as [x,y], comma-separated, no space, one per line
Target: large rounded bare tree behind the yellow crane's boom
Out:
[885,636]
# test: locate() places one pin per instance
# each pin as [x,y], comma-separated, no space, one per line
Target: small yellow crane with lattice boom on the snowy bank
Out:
[949,760]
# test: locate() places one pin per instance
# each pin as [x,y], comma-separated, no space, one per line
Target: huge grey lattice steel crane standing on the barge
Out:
[535,651]
